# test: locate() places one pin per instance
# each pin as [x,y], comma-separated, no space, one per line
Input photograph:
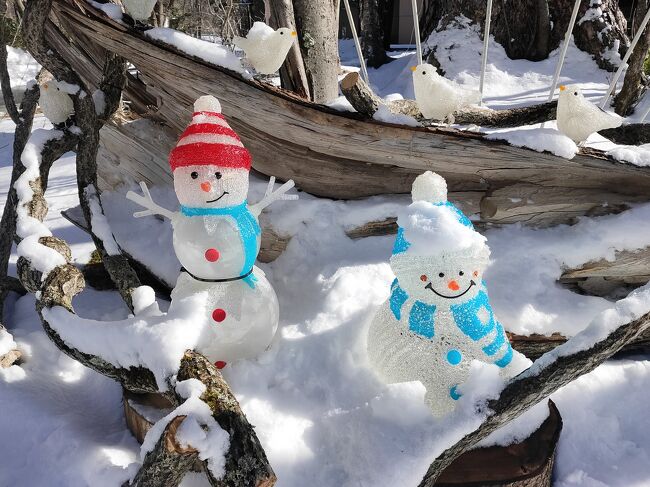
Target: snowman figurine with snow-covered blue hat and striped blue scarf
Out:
[438,317]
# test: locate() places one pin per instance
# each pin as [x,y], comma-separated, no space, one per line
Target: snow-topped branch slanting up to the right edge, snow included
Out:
[605,336]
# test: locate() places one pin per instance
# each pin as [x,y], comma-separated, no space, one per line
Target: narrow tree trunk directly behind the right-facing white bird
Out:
[292,73]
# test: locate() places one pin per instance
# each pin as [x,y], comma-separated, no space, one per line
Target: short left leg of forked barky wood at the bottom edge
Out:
[168,462]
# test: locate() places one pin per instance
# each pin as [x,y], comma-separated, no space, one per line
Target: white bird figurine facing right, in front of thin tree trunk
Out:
[266,48]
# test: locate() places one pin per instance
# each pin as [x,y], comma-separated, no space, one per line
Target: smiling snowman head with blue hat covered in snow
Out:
[438,257]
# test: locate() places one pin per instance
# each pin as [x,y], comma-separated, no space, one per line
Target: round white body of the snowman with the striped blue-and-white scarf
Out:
[438,356]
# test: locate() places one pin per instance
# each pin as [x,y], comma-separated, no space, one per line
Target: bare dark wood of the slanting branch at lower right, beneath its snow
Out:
[545,376]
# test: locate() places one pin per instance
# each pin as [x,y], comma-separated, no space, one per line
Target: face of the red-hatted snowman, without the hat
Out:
[210,186]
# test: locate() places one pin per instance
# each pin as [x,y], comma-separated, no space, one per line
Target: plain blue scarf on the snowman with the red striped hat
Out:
[248,228]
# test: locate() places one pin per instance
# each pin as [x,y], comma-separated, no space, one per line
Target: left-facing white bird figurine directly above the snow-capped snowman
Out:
[436,96]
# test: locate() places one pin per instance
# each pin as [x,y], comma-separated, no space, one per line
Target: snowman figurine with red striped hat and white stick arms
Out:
[217,236]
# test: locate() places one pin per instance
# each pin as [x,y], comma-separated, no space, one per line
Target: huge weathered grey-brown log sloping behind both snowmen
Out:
[338,154]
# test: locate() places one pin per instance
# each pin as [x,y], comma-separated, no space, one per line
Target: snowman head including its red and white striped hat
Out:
[210,163]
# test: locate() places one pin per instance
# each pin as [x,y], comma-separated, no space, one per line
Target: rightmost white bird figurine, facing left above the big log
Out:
[578,118]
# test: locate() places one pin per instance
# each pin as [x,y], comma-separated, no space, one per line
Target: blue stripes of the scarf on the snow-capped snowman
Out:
[422,319]
